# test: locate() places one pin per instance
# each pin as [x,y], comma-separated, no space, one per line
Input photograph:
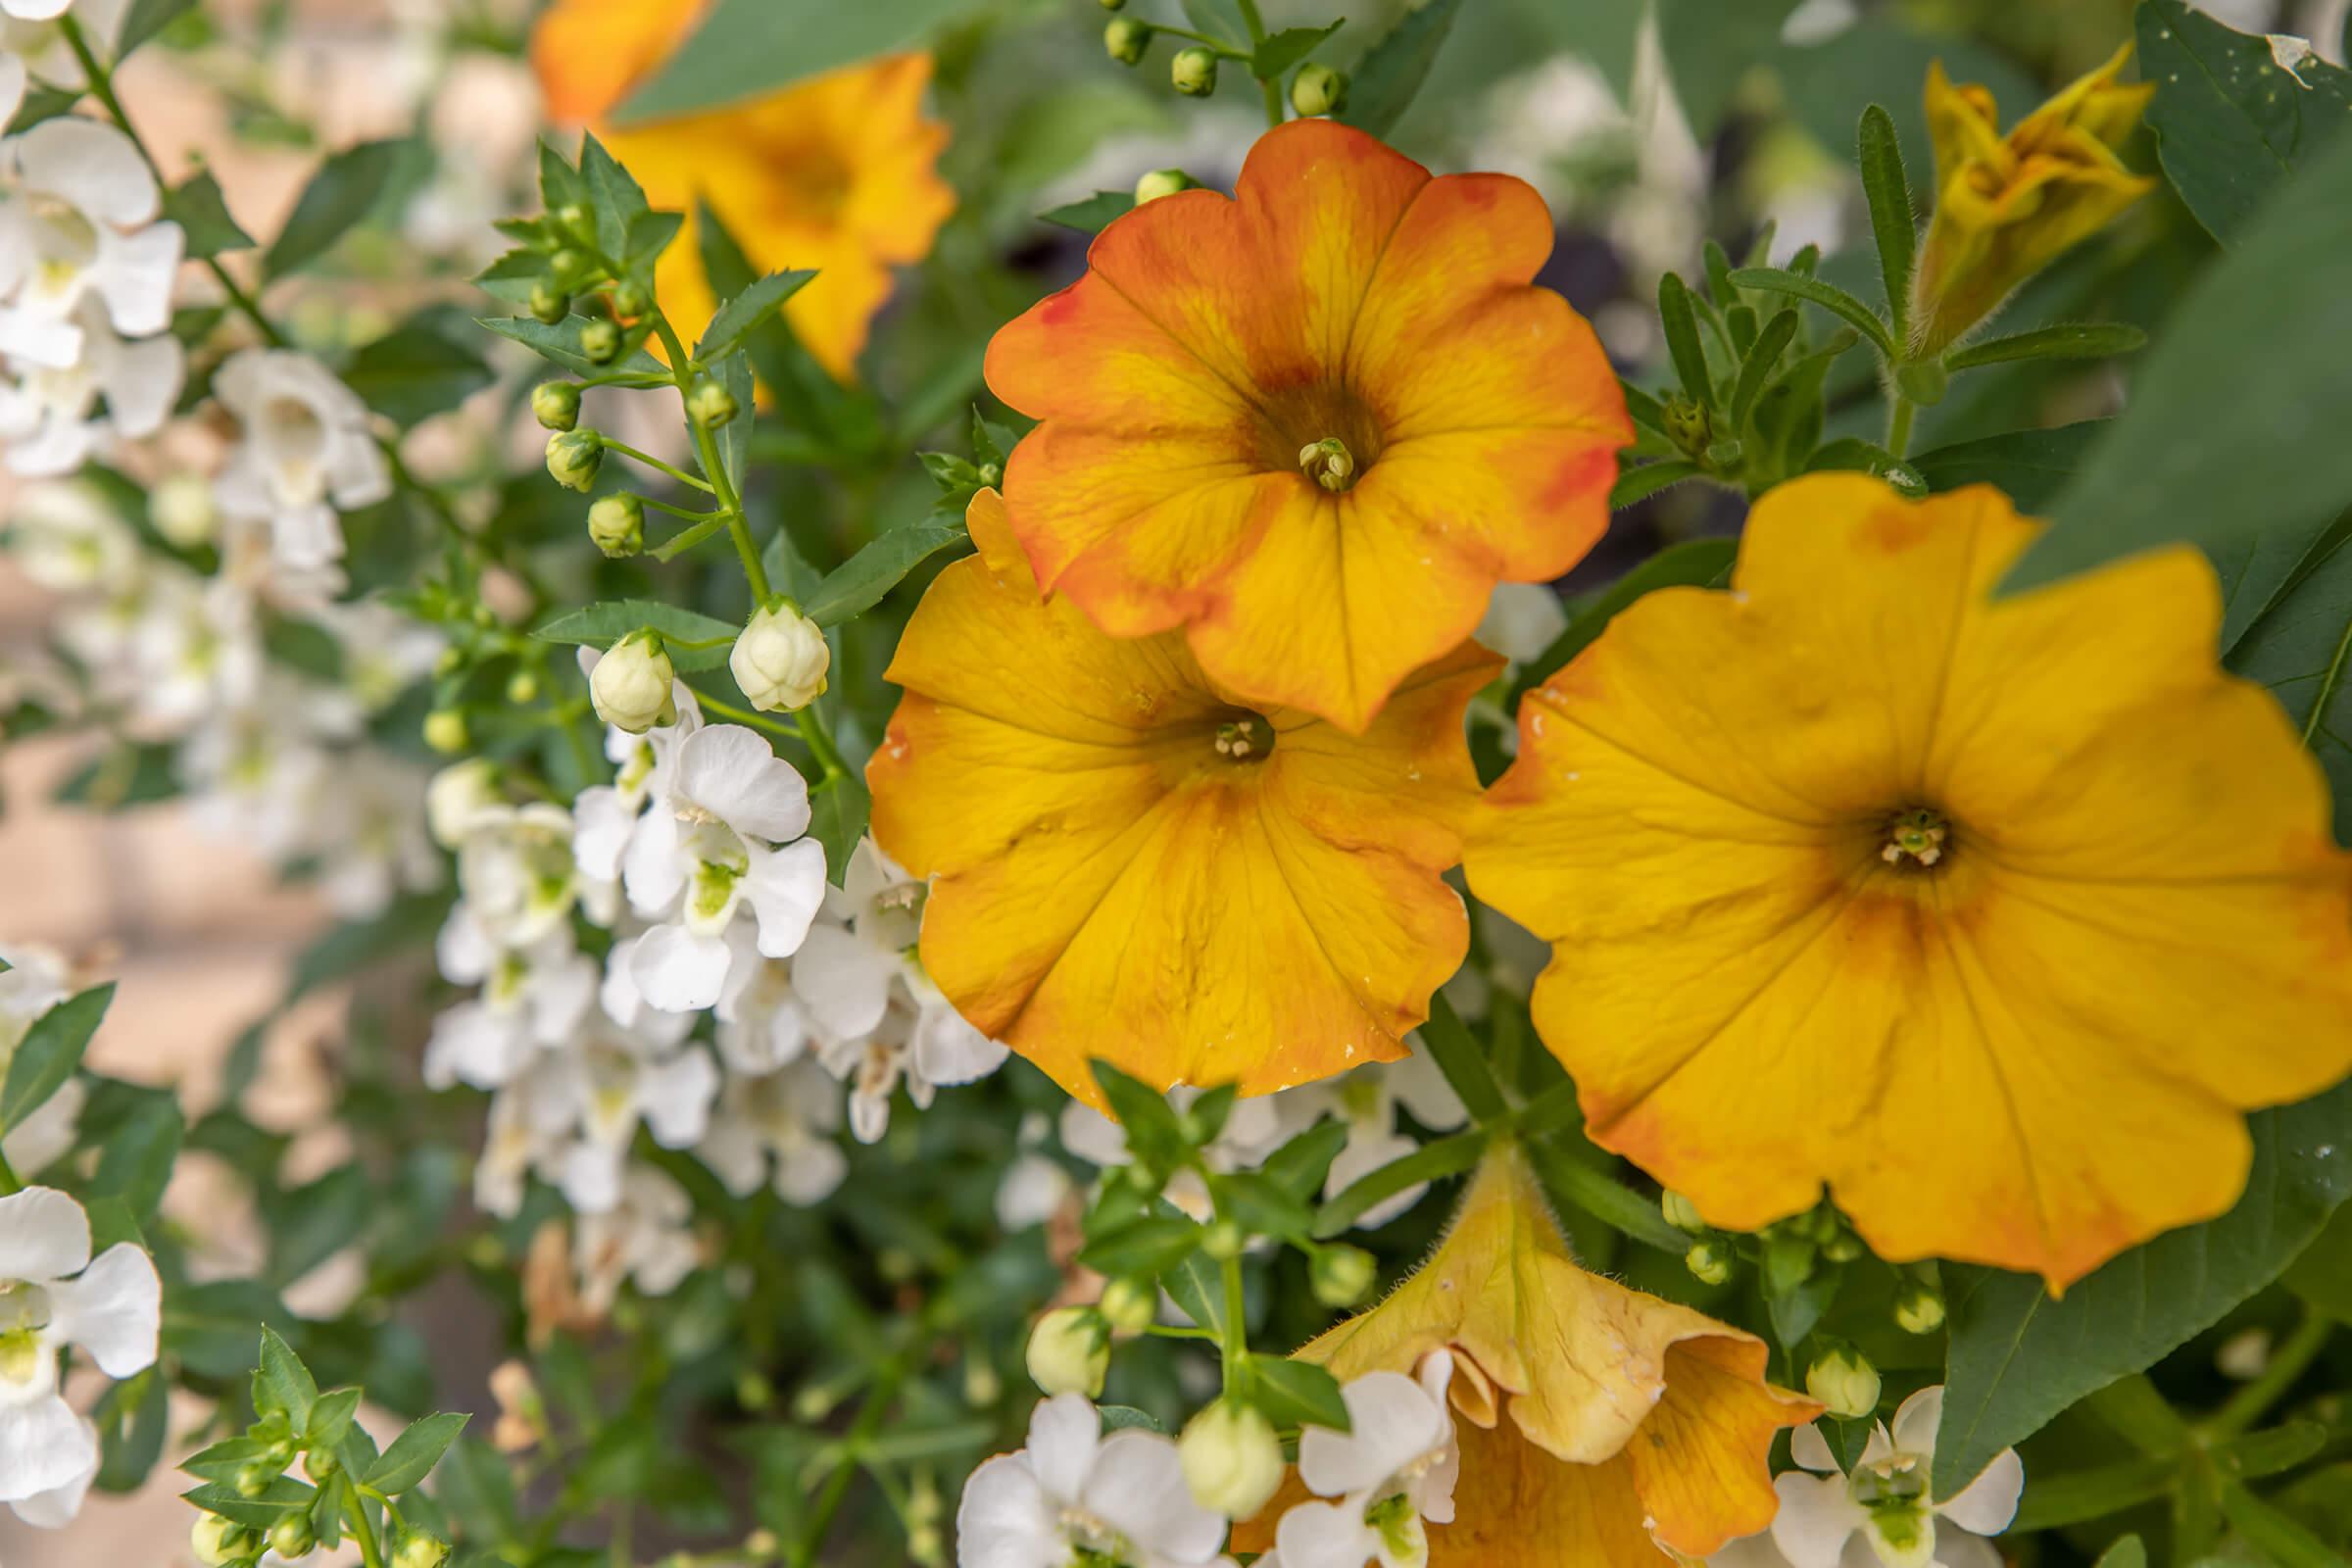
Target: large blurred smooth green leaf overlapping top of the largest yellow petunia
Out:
[2177,462]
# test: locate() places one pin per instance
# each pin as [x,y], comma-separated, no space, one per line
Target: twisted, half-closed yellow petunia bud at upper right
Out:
[2010,206]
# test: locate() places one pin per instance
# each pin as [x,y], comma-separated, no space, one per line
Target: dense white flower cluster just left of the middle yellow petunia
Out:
[695,862]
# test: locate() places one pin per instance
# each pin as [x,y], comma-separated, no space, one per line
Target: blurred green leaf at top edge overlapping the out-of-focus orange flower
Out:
[751,48]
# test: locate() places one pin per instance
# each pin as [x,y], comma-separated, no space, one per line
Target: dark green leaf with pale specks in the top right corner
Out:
[2229,121]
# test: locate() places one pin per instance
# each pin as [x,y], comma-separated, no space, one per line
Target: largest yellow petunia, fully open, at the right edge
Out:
[1991,916]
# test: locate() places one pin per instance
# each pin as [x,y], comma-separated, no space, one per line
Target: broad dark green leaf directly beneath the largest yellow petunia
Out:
[2017,1358]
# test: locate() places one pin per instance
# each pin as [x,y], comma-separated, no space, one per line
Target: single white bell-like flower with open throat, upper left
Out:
[307,453]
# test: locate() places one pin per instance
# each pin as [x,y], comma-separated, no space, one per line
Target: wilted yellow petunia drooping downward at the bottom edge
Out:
[1598,1423]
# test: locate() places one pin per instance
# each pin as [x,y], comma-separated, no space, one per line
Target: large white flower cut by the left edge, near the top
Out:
[81,225]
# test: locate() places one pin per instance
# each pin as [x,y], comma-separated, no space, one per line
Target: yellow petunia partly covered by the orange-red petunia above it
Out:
[1132,864]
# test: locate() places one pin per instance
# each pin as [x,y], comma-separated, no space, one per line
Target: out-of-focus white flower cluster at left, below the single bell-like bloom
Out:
[272,758]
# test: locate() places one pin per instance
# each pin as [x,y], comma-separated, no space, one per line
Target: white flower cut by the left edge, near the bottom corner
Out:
[55,1294]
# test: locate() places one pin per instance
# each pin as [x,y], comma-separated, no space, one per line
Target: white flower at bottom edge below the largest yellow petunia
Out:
[1887,1499]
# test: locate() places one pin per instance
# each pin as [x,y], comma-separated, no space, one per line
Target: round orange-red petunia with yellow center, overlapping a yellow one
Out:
[1314,424]
